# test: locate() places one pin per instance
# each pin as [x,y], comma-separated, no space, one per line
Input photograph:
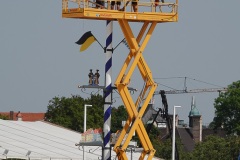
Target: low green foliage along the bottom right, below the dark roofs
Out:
[213,147]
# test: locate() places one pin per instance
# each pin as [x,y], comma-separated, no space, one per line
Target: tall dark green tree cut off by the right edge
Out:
[227,107]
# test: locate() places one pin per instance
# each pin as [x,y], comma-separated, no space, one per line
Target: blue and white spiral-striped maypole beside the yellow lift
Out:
[108,93]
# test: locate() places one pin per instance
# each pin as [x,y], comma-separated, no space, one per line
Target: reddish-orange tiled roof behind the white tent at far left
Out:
[26,116]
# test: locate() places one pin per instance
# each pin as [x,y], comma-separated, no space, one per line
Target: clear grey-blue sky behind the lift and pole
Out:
[40,60]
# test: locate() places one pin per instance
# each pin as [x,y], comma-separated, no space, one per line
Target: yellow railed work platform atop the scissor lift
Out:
[147,11]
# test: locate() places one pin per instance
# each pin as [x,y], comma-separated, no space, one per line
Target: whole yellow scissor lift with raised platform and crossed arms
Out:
[149,13]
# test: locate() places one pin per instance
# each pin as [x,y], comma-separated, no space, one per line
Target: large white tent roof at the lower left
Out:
[41,140]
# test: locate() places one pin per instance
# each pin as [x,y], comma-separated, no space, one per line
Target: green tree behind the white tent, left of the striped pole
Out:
[69,112]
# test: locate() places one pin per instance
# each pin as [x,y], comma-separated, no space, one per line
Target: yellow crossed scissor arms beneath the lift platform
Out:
[135,59]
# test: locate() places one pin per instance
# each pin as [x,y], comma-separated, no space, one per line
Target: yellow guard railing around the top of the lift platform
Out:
[156,6]
